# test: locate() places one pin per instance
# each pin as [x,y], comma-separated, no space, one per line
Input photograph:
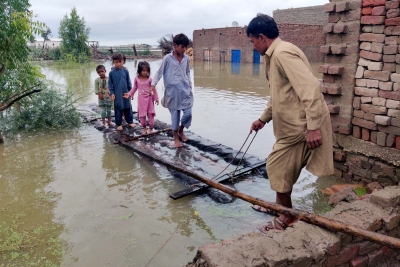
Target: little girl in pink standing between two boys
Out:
[142,84]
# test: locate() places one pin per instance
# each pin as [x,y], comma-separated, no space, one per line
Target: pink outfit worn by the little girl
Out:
[145,100]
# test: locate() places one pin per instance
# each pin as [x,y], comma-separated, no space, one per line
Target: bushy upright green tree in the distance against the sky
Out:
[74,37]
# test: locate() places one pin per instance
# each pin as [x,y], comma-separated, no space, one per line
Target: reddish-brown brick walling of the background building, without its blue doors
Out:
[309,38]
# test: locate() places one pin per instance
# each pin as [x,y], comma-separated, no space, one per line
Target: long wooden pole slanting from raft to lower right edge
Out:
[300,215]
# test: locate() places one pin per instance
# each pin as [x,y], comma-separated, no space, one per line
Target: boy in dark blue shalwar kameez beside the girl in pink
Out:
[119,83]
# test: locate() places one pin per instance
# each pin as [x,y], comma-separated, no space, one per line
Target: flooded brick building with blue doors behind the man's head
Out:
[232,45]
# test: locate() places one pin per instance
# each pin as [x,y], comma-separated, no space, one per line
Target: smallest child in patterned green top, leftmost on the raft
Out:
[101,89]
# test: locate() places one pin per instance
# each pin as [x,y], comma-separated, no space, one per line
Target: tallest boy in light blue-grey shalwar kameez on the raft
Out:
[178,94]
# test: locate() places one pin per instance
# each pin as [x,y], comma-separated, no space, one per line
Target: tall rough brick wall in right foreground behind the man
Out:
[361,84]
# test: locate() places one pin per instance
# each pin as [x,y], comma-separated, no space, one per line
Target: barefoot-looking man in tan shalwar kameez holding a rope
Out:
[302,125]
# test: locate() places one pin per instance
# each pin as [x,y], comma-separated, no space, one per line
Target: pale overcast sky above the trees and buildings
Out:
[122,22]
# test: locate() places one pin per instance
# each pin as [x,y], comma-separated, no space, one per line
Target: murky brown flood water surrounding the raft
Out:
[75,199]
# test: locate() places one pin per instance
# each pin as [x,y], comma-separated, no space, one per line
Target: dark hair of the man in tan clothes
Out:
[263,24]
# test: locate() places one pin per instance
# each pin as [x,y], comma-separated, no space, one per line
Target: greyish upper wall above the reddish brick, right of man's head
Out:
[313,15]
